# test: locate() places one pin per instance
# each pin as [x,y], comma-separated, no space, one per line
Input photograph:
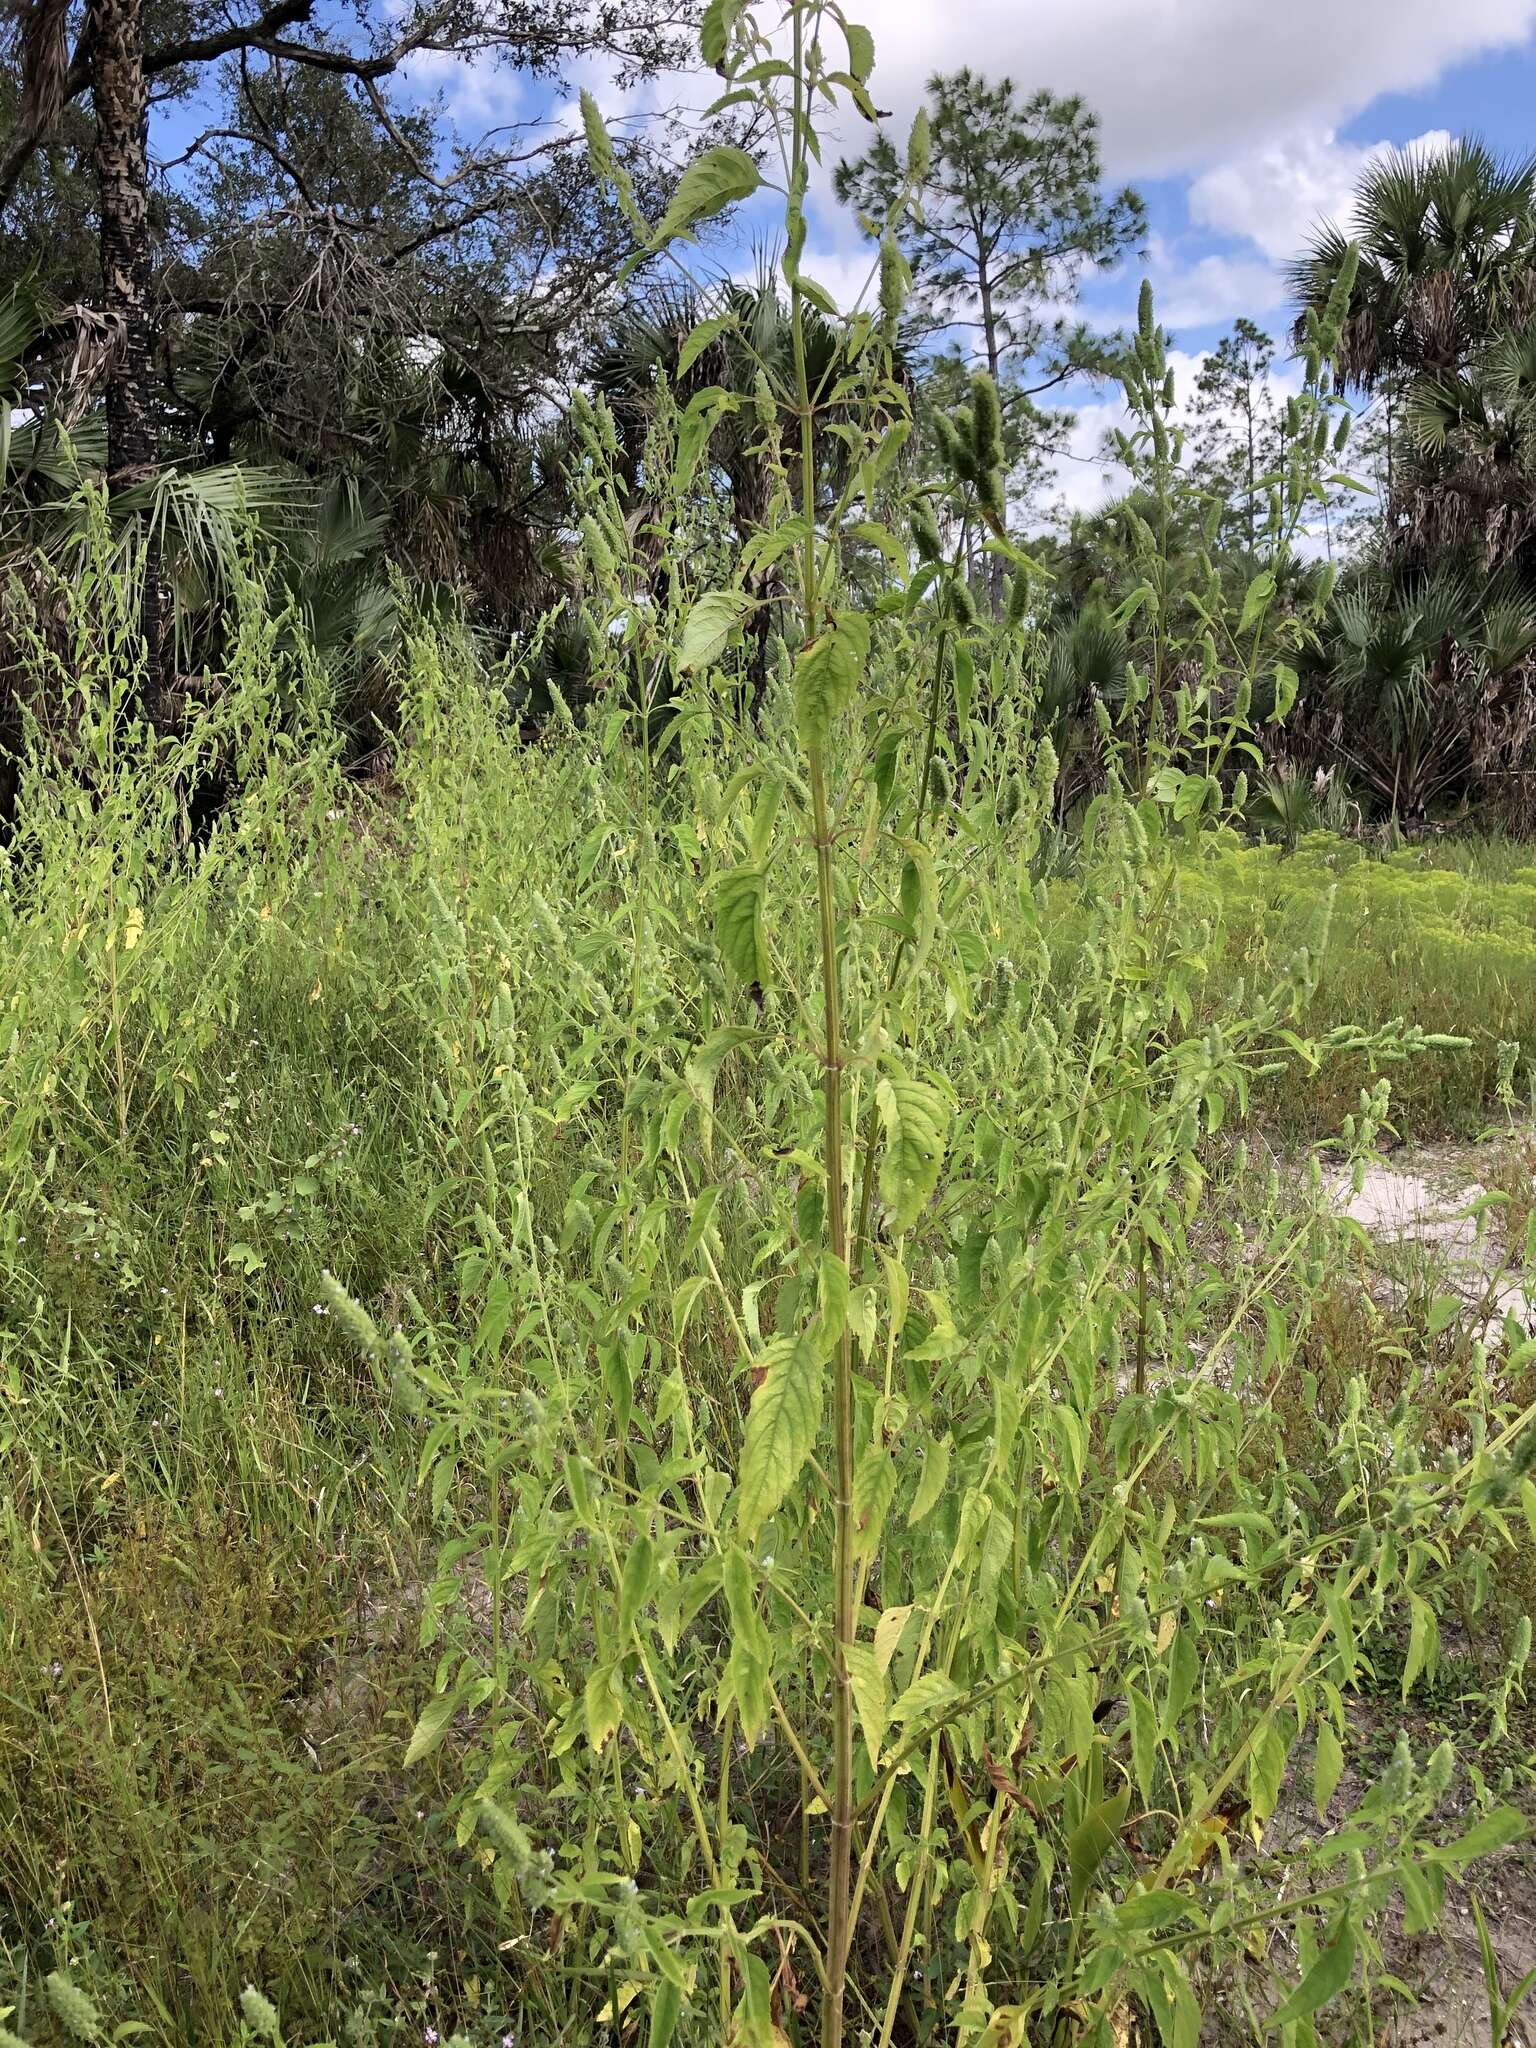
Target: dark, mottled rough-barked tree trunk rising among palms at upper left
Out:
[124,185]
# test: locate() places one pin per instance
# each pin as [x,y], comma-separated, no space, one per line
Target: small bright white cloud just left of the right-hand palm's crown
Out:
[1279,196]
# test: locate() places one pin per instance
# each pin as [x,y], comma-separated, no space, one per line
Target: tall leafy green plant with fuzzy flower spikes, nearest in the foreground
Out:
[869,1453]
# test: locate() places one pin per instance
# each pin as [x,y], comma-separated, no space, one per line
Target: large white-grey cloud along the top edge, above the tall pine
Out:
[1187,83]
